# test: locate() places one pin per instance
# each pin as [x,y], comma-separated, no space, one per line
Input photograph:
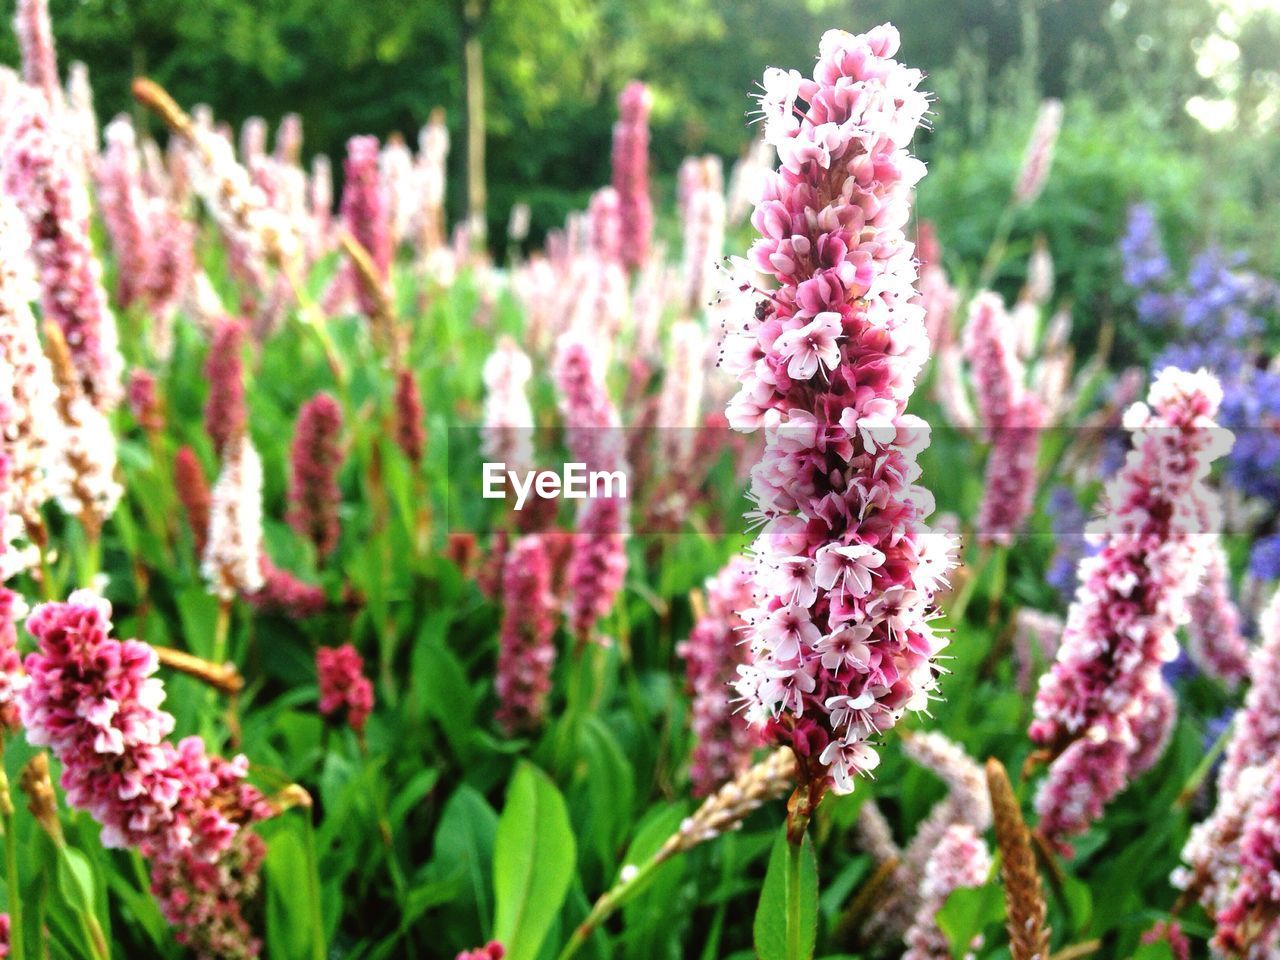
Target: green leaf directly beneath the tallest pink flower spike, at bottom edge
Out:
[787,921]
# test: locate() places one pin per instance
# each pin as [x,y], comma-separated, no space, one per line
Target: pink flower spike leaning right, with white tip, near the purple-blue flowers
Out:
[1100,712]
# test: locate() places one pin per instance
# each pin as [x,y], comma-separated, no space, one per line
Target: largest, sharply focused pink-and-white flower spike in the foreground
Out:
[828,360]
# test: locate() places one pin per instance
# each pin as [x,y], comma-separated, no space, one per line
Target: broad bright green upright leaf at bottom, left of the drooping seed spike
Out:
[534,862]
